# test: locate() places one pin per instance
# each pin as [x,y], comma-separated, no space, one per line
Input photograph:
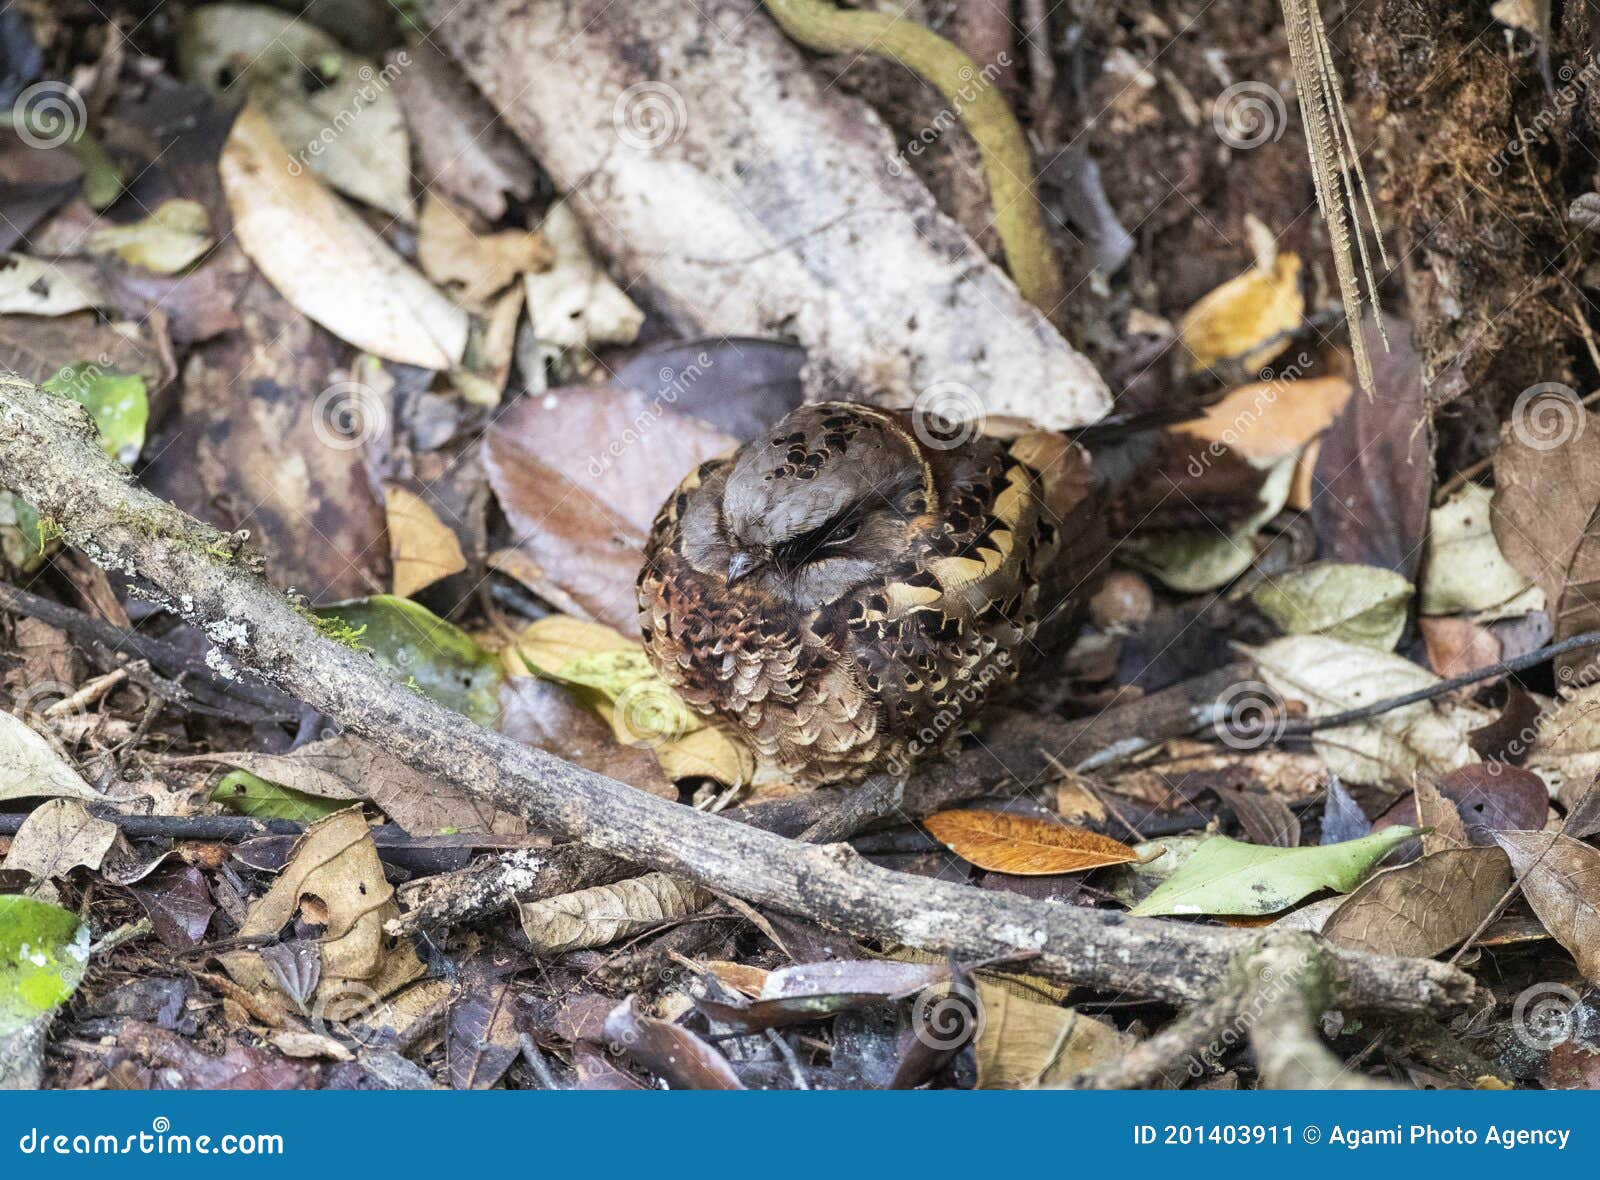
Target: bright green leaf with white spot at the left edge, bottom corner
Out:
[44,952]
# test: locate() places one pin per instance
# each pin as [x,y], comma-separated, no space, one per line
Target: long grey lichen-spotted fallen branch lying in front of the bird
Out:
[50,455]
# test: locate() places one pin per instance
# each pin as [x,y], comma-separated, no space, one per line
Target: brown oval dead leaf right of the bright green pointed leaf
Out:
[1425,907]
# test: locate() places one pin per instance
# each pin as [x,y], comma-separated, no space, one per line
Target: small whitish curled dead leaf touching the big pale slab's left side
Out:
[575,305]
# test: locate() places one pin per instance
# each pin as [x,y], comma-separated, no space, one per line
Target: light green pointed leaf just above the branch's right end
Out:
[1226,875]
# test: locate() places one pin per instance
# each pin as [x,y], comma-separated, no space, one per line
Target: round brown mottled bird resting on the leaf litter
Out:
[846,592]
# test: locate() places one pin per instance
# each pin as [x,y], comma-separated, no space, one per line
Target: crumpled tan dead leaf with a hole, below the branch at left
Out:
[334,882]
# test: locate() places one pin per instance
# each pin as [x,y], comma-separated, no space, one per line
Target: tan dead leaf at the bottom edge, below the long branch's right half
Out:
[1026,1045]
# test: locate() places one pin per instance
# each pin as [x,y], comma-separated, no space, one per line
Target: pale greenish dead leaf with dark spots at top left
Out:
[335,111]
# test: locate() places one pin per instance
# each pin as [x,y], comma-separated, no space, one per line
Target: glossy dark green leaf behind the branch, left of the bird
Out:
[438,658]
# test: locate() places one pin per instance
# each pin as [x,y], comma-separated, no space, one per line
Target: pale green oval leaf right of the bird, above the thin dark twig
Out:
[1364,605]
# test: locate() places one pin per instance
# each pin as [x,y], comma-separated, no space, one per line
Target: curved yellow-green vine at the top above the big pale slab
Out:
[822,26]
